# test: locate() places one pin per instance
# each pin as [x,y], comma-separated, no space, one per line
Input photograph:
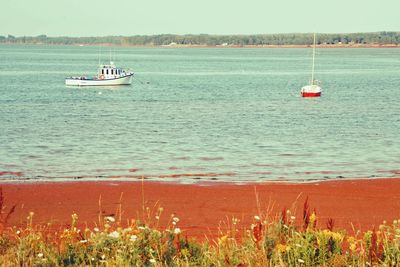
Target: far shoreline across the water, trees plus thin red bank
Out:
[280,40]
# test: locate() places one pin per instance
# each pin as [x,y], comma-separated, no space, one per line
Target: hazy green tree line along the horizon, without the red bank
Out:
[213,40]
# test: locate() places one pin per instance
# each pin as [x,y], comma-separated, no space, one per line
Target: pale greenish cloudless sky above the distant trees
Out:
[147,17]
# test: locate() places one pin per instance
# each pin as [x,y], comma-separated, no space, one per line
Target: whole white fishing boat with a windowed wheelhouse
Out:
[107,75]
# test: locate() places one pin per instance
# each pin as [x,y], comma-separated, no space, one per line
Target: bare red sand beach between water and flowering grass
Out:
[203,208]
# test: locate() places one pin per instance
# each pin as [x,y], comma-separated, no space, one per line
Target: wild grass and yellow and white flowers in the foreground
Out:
[267,242]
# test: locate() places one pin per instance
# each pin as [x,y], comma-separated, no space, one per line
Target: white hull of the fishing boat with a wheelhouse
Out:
[83,81]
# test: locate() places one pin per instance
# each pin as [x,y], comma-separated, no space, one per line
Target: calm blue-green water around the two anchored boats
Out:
[199,115]
